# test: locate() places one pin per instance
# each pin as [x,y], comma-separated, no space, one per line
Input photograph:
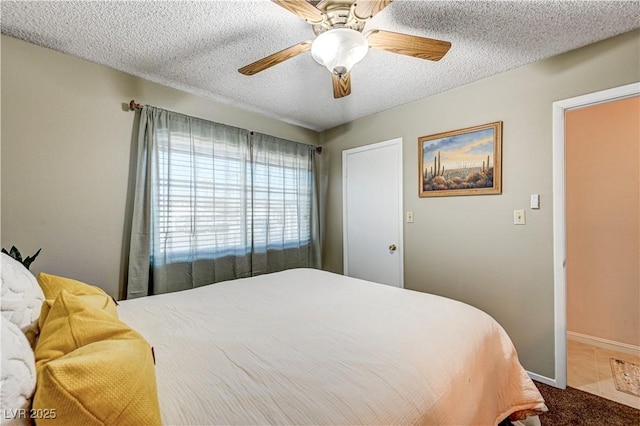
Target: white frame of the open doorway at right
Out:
[559,214]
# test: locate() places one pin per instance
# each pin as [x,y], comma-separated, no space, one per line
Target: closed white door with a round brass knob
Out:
[372,212]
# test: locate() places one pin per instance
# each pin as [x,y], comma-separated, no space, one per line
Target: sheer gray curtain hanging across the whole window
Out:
[214,202]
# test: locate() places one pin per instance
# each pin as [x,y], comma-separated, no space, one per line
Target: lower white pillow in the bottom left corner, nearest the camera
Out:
[18,377]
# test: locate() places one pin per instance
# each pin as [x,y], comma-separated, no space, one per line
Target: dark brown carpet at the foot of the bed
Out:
[572,407]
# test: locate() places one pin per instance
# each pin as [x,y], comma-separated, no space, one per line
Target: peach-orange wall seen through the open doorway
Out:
[603,219]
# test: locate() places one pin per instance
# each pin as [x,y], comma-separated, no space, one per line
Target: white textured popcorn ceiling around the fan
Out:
[198,46]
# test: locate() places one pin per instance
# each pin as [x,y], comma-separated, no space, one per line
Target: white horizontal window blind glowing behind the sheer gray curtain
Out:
[216,197]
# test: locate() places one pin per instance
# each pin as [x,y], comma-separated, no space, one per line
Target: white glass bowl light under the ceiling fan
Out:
[339,49]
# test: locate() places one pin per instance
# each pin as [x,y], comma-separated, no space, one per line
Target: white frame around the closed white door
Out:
[398,143]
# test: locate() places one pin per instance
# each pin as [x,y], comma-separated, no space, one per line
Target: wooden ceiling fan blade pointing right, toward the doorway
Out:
[404,44]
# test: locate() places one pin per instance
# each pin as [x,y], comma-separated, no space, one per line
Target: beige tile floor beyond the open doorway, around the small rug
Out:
[589,369]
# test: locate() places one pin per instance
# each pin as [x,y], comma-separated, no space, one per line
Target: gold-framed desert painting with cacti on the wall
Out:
[461,162]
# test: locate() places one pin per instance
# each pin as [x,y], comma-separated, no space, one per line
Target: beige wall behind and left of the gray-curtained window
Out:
[66,157]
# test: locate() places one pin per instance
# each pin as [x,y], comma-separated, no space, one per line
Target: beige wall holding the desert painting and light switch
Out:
[467,248]
